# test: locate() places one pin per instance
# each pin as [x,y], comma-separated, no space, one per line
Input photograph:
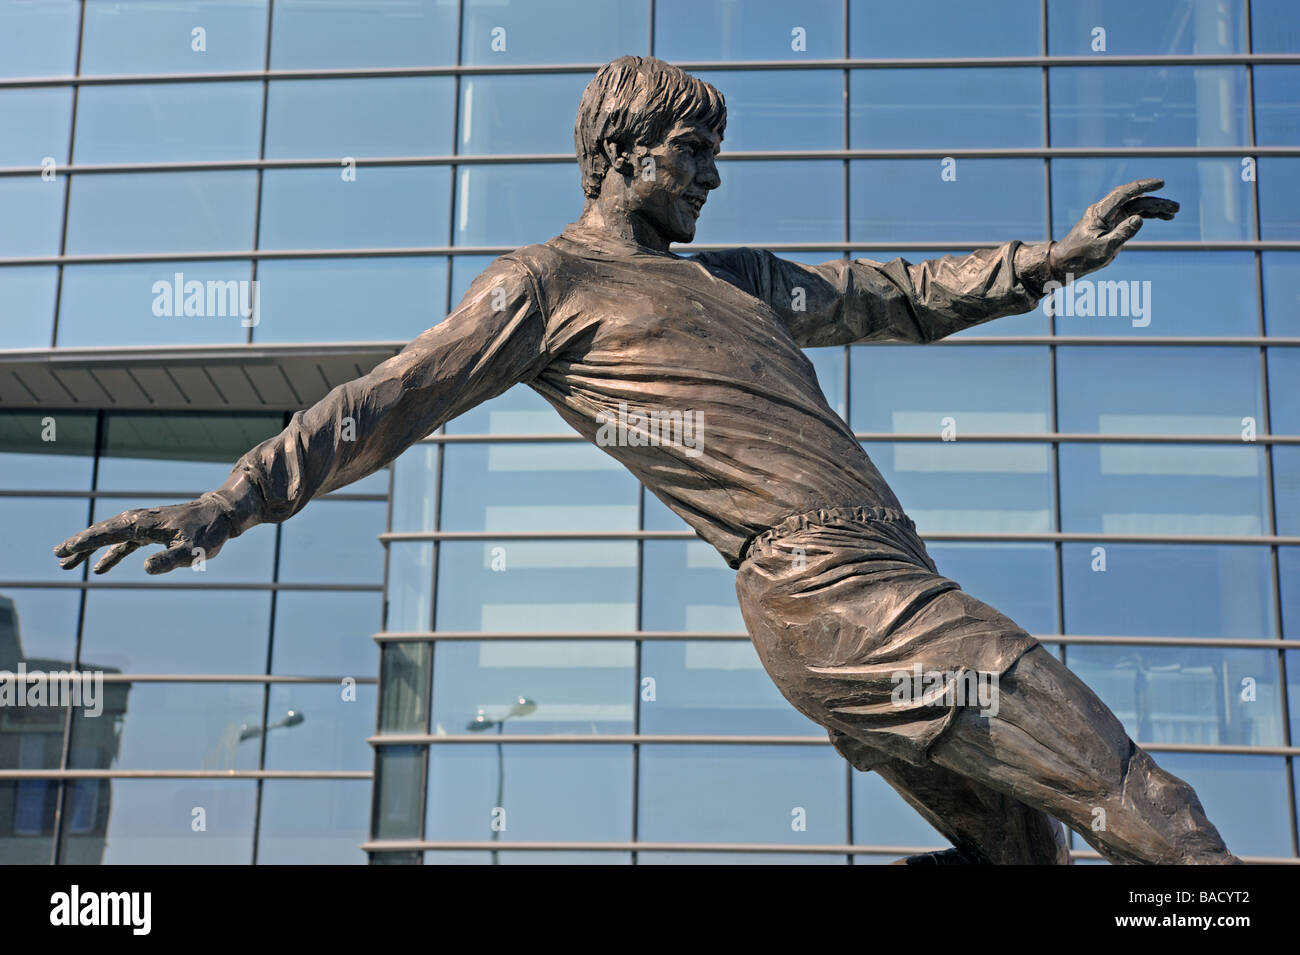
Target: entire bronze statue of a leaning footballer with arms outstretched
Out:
[699,361]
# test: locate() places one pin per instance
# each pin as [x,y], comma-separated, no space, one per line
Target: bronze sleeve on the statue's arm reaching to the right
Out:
[844,302]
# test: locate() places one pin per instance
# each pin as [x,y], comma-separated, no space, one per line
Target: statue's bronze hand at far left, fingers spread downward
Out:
[192,531]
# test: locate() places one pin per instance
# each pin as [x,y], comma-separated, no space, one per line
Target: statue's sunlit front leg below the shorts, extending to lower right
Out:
[1058,748]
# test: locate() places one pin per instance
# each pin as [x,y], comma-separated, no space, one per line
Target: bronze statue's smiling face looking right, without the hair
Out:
[673,180]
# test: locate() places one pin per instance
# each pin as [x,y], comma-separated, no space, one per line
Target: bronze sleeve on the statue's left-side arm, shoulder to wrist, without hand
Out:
[493,340]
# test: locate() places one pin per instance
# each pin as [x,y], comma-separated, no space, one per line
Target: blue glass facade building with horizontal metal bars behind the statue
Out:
[502,649]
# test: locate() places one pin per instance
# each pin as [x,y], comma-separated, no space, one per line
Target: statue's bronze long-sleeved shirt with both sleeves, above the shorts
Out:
[686,370]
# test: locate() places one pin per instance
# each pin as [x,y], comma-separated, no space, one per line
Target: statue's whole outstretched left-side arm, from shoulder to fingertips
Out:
[493,340]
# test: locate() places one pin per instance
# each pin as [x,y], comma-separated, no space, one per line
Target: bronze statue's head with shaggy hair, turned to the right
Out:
[647,136]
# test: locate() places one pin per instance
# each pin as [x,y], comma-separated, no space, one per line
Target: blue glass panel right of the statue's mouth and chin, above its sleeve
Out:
[743,209]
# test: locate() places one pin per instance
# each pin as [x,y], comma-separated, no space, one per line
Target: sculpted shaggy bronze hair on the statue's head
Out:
[638,99]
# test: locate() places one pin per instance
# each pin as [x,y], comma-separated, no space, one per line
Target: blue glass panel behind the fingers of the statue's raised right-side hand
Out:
[1216,202]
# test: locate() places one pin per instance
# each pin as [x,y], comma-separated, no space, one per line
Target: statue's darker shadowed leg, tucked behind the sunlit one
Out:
[986,827]
